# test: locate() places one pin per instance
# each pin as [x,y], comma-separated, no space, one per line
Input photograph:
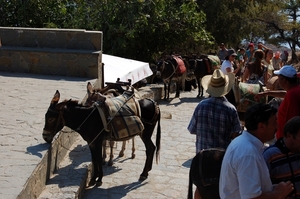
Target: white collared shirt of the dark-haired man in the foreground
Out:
[244,173]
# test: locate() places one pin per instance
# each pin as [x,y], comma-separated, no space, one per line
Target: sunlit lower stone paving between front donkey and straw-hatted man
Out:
[168,178]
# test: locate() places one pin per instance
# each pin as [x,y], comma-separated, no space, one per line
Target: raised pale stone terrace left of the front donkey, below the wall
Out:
[24,100]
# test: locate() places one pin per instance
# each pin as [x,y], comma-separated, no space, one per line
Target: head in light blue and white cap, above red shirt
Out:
[286,75]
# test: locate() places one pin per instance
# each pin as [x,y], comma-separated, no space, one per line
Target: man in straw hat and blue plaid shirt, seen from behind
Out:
[215,121]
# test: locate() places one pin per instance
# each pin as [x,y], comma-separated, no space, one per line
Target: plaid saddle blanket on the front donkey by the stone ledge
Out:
[123,117]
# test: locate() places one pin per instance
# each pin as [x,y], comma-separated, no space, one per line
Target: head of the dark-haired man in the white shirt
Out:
[261,121]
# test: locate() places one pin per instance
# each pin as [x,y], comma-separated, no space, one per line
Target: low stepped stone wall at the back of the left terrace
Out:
[65,52]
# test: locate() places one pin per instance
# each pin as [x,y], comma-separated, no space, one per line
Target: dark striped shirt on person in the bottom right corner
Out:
[279,165]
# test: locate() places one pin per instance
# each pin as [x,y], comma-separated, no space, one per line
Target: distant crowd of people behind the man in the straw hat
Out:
[253,64]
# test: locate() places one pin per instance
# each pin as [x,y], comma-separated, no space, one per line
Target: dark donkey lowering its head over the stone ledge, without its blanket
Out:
[86,120]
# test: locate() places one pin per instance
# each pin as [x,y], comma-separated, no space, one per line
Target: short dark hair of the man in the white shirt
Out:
[258,113]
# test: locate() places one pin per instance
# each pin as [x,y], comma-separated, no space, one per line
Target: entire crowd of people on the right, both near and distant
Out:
[250,168]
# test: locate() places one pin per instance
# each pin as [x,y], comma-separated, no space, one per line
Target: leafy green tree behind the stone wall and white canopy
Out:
[144,30]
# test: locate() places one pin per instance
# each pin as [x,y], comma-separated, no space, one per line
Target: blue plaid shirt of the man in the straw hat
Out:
[213,122]
